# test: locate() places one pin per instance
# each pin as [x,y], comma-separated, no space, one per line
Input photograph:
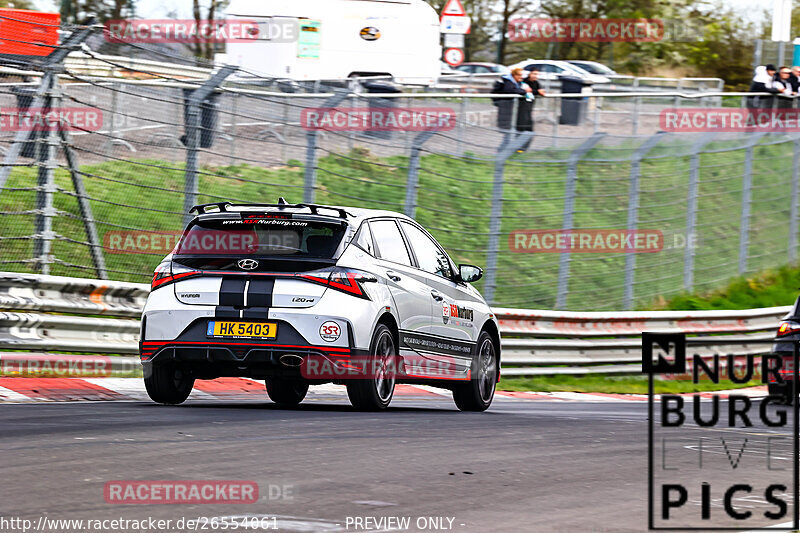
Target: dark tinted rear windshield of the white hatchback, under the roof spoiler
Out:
[262,237]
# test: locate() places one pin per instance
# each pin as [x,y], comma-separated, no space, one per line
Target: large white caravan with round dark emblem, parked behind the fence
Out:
[338,39]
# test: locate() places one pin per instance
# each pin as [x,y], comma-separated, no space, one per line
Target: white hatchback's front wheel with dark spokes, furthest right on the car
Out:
[477,393]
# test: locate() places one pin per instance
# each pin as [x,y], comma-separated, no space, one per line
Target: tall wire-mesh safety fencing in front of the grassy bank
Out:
[108,198]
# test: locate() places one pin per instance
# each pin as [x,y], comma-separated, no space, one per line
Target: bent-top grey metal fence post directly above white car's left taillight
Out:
[193,138]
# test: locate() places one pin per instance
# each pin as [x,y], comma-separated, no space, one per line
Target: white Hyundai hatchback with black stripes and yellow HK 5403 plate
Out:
[303,294]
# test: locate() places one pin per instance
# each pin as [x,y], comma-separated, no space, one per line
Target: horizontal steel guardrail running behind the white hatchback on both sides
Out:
[54,313]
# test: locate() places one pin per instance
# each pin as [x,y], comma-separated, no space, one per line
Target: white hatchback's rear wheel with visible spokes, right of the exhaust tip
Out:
[376,393]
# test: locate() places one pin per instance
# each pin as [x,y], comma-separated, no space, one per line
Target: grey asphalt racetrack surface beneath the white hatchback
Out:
[521,466]
